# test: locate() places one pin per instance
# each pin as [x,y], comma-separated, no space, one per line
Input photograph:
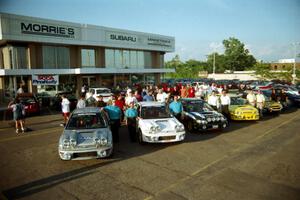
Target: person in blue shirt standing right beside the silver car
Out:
[114,114]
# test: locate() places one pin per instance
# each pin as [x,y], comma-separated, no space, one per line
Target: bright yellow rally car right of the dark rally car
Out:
[240,110]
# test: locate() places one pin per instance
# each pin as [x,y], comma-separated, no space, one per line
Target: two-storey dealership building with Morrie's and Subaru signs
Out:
[38,53]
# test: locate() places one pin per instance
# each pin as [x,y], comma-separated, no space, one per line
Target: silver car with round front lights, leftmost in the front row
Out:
[86,135]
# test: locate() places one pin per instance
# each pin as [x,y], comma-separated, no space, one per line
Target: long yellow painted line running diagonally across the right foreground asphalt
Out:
[220,159]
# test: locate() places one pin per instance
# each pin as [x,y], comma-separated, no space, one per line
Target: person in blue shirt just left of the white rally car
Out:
[130,116]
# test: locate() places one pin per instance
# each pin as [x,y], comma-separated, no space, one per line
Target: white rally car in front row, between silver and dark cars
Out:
[157,125]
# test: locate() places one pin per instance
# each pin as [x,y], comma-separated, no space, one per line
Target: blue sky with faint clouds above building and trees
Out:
[270,29]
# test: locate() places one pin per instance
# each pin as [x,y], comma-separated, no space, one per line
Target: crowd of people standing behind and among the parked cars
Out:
[122,107]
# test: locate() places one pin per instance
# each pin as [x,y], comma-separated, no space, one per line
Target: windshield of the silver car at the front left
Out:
[86,121]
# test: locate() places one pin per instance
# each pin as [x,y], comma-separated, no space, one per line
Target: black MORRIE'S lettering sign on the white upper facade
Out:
[47,30]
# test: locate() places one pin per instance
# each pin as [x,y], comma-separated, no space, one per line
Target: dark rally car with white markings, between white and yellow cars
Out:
[198,115]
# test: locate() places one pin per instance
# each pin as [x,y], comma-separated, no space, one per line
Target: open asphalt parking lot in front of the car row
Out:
[249,160]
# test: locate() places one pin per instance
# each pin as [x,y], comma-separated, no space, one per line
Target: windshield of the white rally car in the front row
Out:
[154,112]
